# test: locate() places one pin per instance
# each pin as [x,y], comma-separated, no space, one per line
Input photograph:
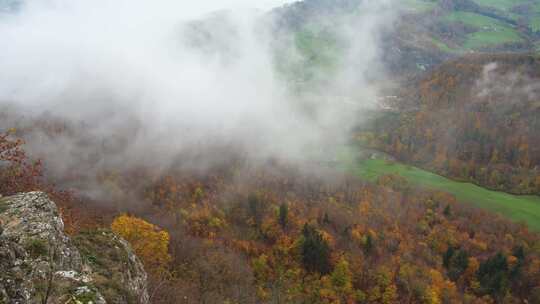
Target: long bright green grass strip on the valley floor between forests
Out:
[517,208]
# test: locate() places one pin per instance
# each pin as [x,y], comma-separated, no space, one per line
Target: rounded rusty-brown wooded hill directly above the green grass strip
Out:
[475,119]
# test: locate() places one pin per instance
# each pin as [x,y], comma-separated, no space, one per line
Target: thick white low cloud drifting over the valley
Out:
[137,87]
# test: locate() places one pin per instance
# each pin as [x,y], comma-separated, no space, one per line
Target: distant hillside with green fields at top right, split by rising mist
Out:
[426,33]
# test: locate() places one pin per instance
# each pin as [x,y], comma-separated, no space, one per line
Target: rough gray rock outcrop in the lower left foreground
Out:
[39,263]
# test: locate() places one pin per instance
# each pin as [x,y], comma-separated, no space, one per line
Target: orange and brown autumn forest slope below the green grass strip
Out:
[246,233]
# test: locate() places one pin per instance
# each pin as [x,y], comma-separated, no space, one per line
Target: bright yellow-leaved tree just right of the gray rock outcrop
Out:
[150,243]
